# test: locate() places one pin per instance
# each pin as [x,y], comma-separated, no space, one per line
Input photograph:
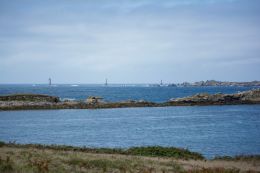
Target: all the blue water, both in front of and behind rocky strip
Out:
[210,130]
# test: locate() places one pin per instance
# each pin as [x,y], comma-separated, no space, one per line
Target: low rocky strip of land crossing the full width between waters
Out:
[37,101]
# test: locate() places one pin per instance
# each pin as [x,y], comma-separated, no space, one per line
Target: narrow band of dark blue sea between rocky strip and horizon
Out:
[116,92]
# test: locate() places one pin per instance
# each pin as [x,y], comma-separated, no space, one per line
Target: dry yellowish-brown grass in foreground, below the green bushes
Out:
[34,160]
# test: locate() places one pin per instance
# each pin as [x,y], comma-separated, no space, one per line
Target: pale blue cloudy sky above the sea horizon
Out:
[129,41]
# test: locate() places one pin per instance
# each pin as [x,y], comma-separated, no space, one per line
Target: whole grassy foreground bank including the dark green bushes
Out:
[32,158]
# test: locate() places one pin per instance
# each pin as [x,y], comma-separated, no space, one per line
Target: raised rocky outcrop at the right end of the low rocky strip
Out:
[247,97]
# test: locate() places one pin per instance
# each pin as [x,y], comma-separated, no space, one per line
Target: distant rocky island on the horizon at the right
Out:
[209,83]
